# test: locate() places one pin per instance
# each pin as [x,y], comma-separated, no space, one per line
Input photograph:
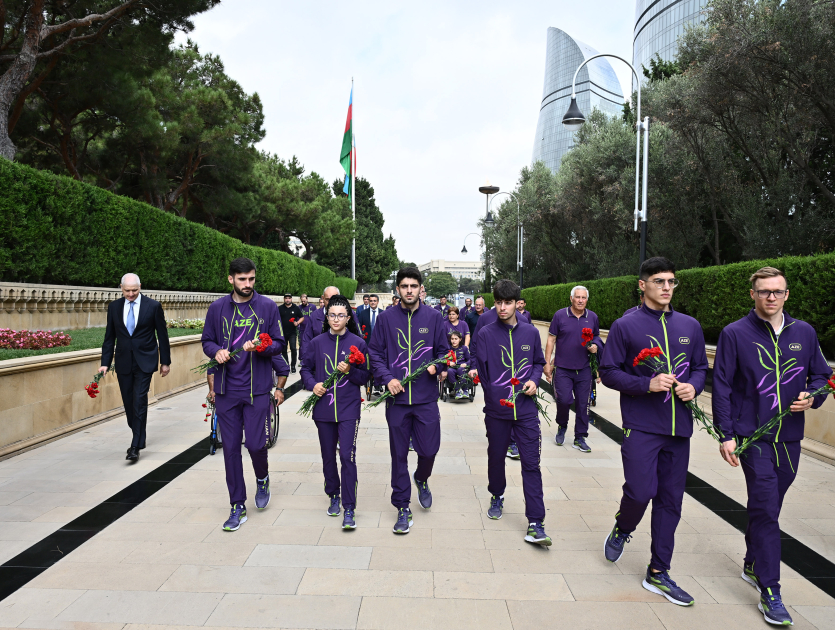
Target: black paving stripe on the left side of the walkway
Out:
[28,564]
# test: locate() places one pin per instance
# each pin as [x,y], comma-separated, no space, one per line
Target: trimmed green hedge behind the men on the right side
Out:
[716,296]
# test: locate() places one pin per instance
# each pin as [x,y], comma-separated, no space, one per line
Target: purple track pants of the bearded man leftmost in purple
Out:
[238,416]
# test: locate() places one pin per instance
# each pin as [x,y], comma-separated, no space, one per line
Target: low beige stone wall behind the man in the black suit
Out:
[43,396]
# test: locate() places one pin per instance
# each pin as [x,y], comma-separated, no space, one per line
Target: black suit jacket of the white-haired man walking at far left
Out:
[145,347]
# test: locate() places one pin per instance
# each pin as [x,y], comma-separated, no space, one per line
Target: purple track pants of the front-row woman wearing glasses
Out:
[345,433]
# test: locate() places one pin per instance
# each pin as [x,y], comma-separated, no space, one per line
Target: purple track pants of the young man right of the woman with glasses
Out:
[422,423]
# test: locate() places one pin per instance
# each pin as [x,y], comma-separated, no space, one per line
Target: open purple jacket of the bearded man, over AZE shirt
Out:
[228,326]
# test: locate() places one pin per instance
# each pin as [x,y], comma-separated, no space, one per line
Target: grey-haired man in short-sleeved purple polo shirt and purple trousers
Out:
[572,374]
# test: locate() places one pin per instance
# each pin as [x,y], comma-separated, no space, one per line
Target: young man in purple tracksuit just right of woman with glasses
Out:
[405,338]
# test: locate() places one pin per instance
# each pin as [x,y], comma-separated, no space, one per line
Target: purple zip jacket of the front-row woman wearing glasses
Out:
[343,401]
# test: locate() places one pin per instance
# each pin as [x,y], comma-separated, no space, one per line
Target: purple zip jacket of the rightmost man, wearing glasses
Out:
[757,374]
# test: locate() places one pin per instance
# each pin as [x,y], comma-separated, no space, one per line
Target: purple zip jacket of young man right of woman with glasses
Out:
[403,341]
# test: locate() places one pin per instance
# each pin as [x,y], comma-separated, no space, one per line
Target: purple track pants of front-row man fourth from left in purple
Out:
[528,439]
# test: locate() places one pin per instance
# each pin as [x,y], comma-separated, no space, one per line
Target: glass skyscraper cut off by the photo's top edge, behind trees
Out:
[658,25]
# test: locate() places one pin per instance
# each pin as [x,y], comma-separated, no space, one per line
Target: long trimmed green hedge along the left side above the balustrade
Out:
[56,230]
